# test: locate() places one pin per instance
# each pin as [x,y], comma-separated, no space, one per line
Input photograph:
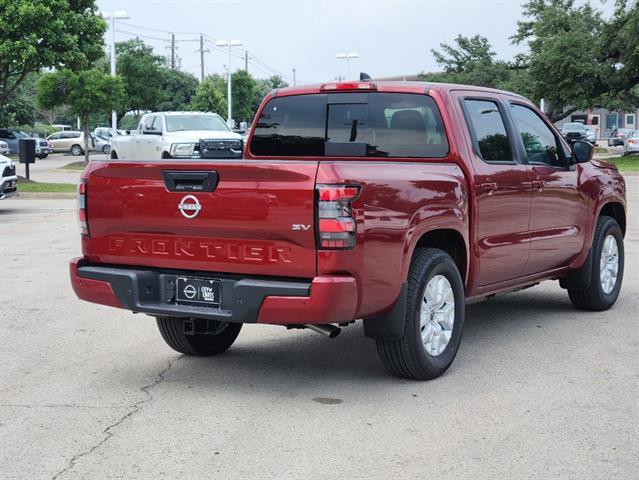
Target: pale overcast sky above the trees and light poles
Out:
[391,37]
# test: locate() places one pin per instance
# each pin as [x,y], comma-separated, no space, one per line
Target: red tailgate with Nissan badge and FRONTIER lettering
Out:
[259,219]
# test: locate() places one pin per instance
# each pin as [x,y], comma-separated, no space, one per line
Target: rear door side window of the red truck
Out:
[490,132]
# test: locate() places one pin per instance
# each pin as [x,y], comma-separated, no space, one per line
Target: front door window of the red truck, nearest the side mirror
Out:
[540,143]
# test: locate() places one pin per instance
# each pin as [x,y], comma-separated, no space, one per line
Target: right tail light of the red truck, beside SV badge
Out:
[336,228]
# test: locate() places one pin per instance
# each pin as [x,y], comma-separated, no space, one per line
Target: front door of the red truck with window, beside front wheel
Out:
[559,205]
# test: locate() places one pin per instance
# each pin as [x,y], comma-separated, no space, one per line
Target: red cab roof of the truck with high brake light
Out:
[385,86]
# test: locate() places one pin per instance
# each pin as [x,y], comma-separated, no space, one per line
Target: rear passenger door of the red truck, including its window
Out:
[503,192]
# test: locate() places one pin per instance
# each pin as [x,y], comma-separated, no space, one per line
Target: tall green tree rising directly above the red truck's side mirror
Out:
[562,61]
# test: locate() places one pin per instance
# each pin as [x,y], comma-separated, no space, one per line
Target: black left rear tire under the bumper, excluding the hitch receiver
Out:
[172,330]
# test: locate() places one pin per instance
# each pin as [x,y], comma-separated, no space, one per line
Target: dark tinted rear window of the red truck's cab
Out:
[391,125]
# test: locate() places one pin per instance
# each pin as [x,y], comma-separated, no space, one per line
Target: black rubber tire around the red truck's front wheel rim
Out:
[594,297]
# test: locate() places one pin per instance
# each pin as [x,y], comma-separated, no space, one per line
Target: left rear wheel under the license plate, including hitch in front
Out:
[198,337]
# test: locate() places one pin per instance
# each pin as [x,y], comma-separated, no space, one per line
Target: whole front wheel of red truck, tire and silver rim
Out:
[606,268]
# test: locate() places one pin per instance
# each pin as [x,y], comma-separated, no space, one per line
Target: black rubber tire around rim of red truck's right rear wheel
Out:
[407,357]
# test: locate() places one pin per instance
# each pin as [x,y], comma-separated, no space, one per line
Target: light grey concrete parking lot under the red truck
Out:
[538,390]
